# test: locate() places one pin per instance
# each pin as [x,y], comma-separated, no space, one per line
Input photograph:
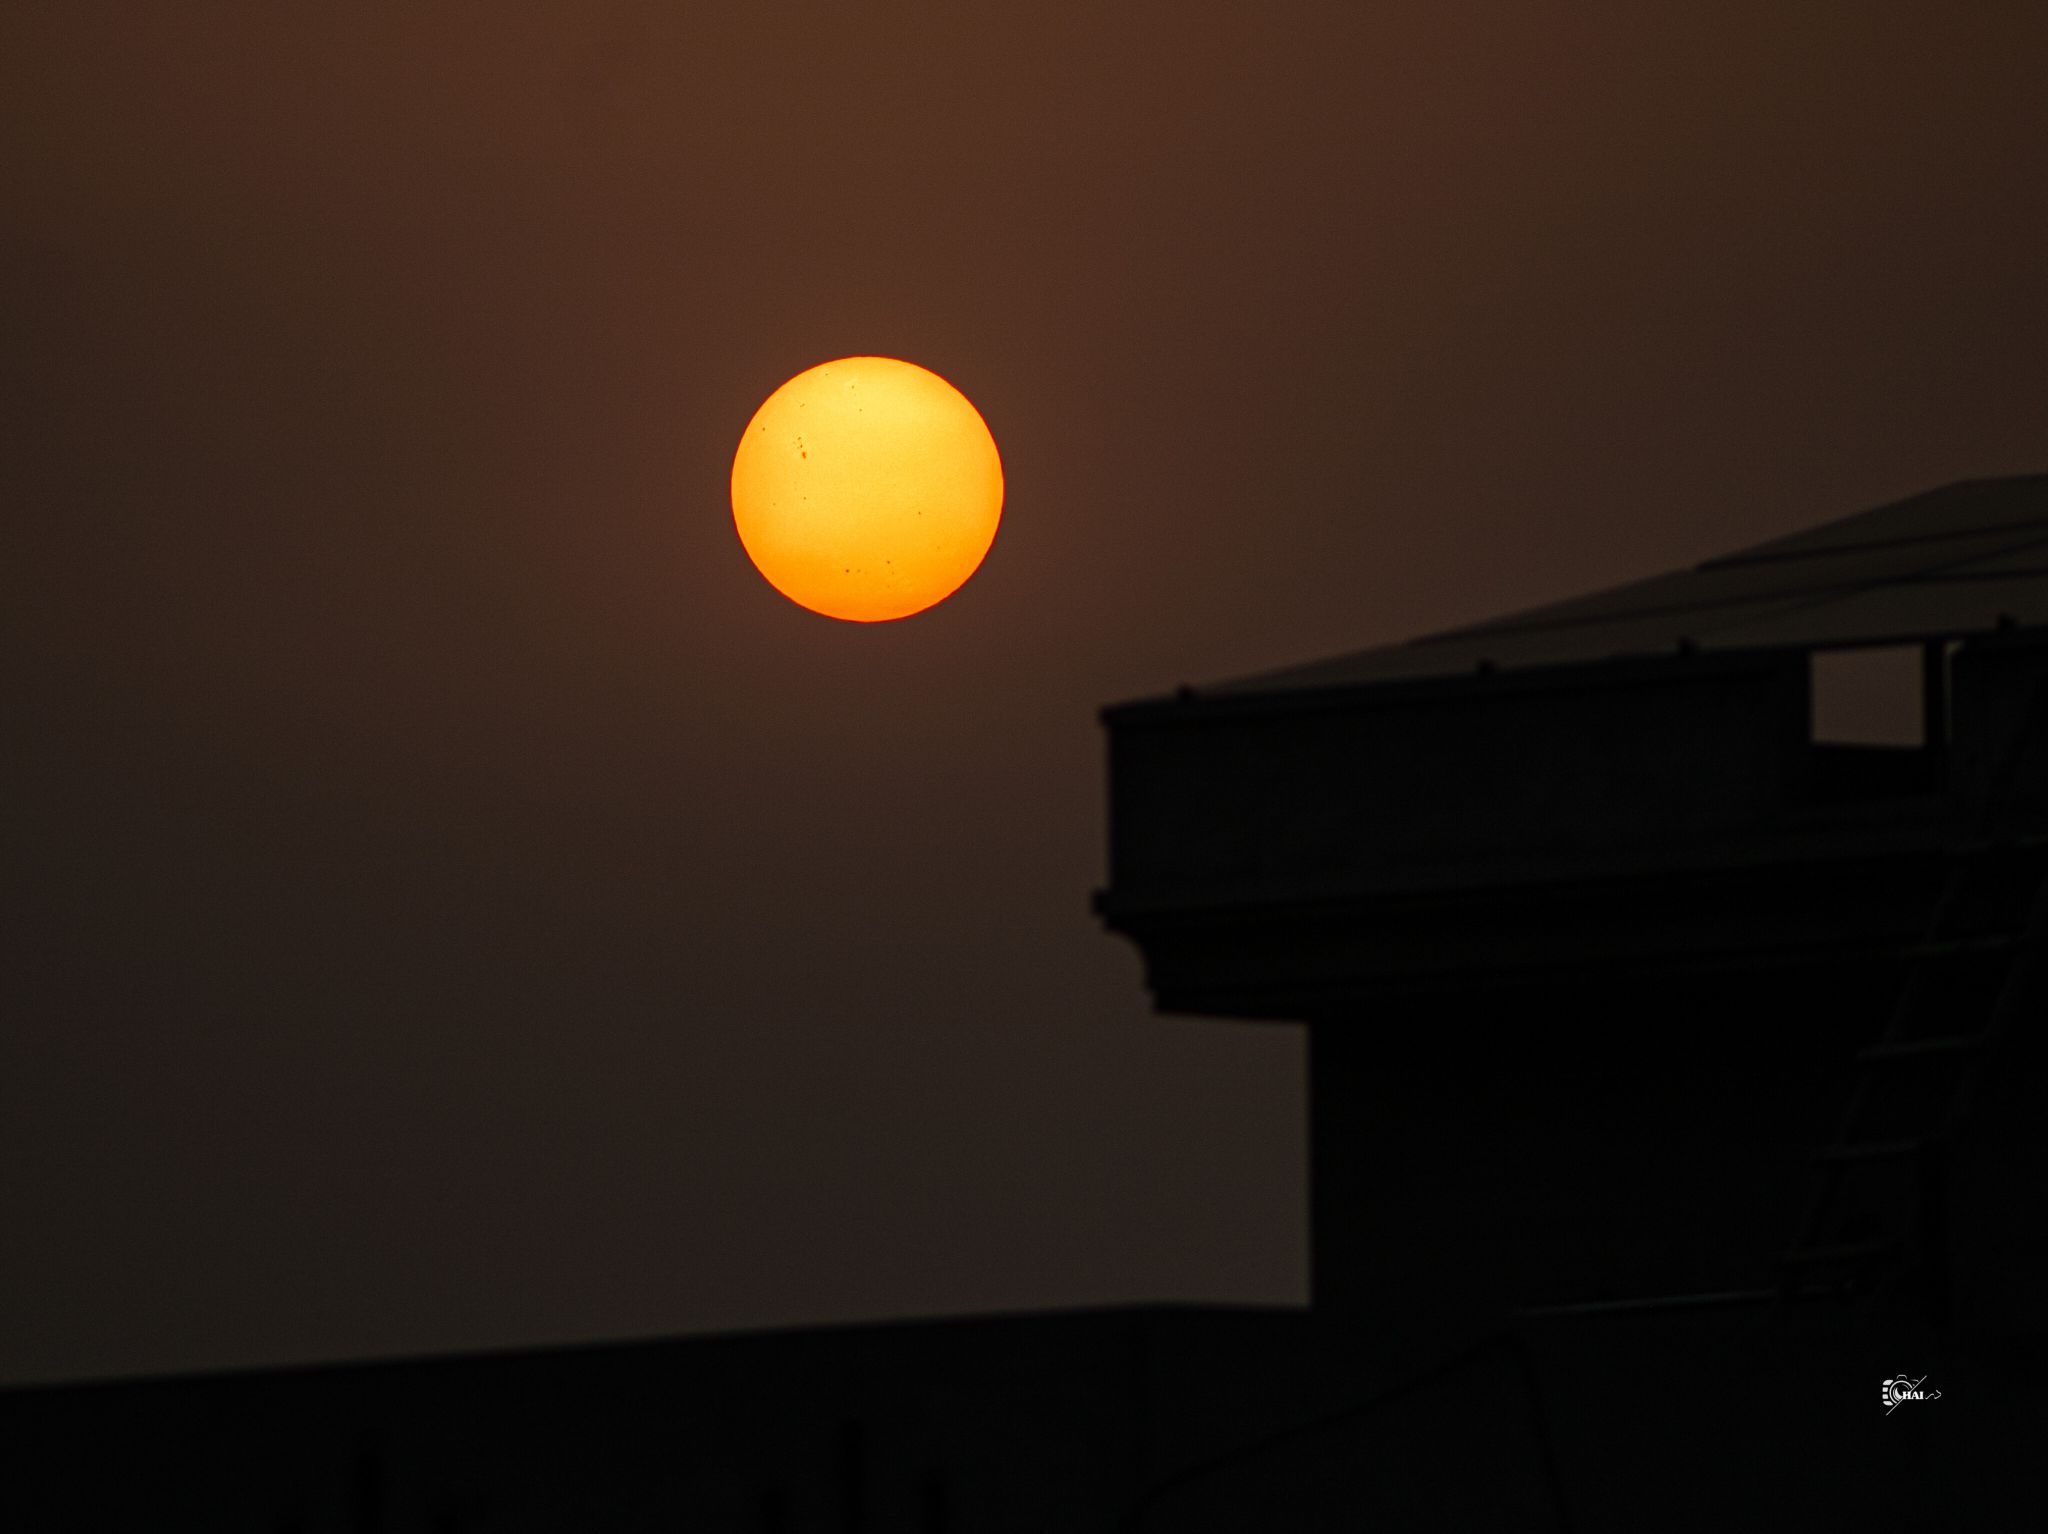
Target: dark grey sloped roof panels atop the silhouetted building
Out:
[1953,562]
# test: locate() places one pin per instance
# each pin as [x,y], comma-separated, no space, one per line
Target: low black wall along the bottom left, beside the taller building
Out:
[939,1426]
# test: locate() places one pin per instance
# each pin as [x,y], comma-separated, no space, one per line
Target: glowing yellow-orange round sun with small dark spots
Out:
[867,488]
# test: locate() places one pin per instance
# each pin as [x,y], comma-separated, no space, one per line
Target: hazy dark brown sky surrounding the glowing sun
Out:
[452,900]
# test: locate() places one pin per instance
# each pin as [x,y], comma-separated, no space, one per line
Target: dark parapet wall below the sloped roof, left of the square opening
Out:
[1369,785]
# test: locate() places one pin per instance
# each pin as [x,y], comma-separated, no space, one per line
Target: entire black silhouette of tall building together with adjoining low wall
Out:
[1674,976]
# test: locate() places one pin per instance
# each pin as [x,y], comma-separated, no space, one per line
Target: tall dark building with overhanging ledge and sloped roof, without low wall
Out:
[1654,1031]
